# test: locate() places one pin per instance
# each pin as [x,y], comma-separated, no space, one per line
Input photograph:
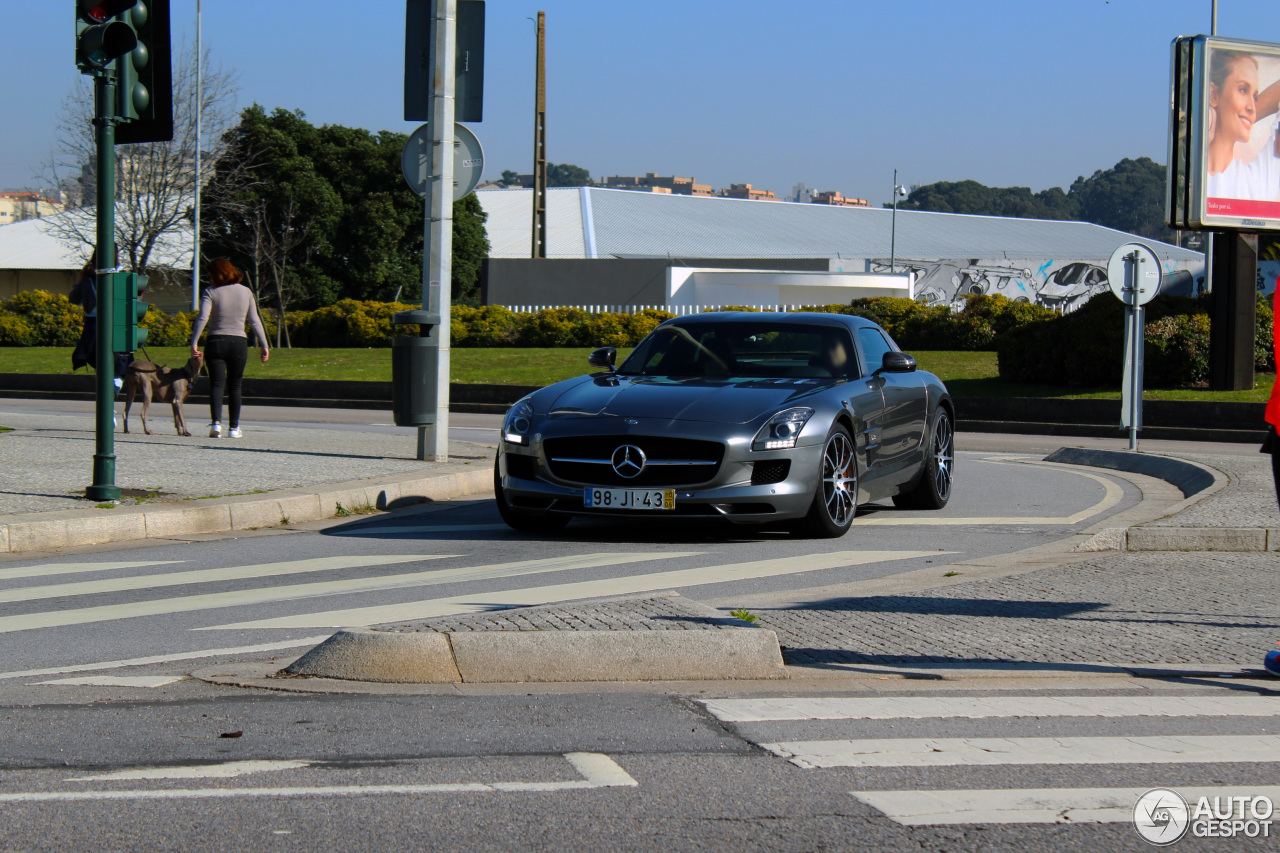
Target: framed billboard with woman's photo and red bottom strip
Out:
[1224,152]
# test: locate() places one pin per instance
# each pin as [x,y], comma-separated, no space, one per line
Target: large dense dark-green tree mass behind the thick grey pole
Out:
[332,204]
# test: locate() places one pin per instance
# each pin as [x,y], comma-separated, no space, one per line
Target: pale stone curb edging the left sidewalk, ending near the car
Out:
[75,528]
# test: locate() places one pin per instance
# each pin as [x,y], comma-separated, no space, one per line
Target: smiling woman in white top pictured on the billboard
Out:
[1236,106]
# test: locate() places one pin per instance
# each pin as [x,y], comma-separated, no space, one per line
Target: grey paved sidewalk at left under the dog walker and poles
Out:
[48,459]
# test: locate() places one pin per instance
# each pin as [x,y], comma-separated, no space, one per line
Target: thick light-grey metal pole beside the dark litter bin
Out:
[433,443]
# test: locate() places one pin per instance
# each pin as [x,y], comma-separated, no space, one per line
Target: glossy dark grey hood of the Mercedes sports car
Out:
[726,402]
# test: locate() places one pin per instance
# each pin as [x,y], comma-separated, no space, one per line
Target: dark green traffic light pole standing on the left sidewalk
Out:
[104,459]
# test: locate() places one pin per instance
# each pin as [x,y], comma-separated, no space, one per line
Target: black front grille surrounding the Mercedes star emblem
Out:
[588,460]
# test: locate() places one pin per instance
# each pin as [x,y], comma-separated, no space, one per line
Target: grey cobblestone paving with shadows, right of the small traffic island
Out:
[1151,608]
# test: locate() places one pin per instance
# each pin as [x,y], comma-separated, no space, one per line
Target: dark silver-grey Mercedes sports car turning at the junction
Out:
[752,418]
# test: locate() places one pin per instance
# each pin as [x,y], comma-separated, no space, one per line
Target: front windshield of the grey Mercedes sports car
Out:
[757,350]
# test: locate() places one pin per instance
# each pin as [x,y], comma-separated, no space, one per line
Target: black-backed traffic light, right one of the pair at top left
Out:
[144,88]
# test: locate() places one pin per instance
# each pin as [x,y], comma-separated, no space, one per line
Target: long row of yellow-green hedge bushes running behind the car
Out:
[1034,345]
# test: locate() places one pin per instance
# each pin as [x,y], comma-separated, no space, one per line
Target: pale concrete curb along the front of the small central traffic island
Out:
[510,658]
